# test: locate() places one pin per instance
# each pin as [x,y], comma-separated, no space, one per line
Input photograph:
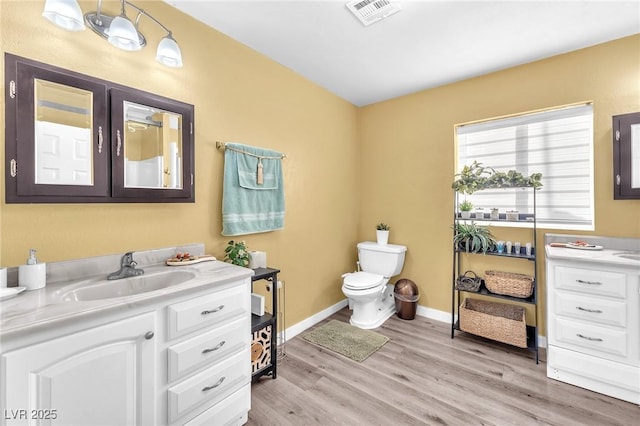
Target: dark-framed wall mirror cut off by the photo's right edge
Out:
[626,156]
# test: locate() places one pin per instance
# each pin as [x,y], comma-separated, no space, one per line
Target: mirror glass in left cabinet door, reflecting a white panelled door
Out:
[63,134]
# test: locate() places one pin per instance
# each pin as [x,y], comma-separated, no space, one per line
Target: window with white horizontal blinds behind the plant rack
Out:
[557,143]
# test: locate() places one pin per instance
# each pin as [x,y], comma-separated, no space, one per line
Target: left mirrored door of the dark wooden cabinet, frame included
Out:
[57,134]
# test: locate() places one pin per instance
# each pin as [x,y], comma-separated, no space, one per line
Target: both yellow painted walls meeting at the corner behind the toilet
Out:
[347,168]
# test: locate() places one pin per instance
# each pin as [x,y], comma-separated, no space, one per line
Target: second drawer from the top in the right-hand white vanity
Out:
[597,310]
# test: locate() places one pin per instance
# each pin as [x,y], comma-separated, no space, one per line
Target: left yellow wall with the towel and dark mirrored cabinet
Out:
[239,95]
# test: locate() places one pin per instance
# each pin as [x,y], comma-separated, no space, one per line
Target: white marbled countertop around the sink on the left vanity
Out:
[45,307]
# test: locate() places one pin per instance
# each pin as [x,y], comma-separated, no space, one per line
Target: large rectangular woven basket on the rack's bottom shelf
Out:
[496,321]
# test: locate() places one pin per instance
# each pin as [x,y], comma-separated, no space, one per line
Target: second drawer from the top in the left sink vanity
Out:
[208,348]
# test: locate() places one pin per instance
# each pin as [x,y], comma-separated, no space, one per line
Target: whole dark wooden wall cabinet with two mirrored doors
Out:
[72,138]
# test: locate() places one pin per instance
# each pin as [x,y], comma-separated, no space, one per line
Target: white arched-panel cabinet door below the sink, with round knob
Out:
[102,376]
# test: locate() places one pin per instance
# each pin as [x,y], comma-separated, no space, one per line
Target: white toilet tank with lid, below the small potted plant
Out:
[386,260]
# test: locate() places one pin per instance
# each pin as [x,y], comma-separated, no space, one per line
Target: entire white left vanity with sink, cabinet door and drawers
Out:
[176,354]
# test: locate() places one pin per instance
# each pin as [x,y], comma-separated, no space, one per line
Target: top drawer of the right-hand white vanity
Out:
[590,281]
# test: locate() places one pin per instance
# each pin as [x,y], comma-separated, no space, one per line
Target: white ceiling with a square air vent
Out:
[427,44]
